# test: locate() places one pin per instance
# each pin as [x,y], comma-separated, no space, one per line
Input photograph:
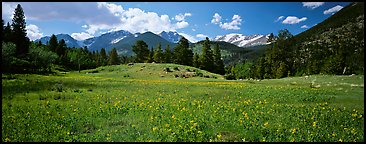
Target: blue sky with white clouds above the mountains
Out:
[193,20]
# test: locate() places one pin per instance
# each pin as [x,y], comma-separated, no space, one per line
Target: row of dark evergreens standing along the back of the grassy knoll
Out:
[181,54]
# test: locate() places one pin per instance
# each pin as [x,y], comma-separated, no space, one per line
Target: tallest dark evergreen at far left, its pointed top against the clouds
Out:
[19,36]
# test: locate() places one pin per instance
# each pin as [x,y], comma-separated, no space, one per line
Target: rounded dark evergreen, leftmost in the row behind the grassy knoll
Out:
[141,50]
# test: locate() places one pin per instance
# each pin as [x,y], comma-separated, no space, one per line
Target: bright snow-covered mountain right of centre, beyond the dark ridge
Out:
[242,40]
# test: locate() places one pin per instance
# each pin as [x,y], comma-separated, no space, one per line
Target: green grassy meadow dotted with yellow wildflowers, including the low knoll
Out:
[143,102]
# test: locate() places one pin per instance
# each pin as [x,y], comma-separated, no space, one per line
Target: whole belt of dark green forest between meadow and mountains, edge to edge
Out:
[334,46]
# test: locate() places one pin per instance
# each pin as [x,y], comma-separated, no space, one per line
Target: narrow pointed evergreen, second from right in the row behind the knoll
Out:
[206,59]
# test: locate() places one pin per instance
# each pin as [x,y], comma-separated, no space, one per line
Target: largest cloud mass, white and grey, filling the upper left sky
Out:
[97,17]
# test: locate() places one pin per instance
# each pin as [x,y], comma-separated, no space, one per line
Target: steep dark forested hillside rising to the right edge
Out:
[334,46]
